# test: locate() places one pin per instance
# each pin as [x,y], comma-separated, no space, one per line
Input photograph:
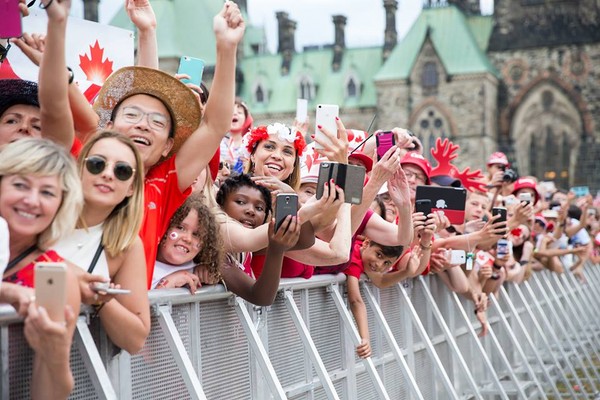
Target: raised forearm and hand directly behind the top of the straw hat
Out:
[140,12]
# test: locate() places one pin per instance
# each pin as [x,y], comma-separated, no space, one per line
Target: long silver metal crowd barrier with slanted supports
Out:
[543,342]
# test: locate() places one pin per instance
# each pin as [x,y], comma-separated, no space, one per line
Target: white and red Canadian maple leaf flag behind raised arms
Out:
[93,52]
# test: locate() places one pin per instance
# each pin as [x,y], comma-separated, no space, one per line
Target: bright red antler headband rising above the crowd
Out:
[444,152]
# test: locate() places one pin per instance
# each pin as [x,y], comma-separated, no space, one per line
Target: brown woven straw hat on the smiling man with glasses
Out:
[176,96]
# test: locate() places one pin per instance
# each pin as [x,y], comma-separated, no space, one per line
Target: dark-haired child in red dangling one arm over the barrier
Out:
[374,257]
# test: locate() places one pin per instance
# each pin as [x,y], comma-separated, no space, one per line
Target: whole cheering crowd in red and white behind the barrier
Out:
[163,185]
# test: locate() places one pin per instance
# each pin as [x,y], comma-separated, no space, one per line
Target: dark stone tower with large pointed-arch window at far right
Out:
[548,55]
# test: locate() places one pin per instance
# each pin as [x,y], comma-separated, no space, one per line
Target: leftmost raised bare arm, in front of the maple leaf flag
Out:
[56,118]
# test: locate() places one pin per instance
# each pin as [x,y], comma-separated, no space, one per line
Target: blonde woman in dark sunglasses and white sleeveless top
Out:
[106,242]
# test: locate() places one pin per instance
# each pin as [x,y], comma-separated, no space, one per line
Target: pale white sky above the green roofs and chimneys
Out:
[364,27]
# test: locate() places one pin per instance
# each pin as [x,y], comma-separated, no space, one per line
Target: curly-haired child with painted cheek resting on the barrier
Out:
[192,239]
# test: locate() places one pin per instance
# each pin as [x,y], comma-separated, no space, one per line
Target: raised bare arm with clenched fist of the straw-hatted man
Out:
[199,149]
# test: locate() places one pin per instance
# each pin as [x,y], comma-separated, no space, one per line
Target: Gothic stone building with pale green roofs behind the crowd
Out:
[525,80]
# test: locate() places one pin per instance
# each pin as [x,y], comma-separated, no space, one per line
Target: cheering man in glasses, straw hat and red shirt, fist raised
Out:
[163,117]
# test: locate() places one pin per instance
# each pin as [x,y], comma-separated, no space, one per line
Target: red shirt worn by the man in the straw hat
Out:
[162,198]
